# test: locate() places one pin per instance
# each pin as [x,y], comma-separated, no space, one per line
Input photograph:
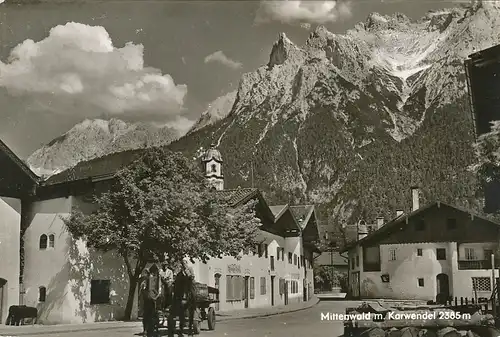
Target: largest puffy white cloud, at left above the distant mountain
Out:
[77,65]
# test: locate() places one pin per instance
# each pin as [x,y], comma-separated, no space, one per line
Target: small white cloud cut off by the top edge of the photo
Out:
[300,12]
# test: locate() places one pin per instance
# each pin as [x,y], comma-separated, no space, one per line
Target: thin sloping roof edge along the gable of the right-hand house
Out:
[373,236]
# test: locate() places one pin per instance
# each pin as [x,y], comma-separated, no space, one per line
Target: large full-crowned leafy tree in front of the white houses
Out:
[159,208]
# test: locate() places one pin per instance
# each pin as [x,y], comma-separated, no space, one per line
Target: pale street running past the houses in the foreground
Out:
[301,323]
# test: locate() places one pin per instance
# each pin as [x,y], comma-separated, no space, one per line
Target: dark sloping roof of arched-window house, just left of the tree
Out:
[105,166]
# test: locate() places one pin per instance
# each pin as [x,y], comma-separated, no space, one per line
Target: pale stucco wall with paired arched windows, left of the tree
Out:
[67,269]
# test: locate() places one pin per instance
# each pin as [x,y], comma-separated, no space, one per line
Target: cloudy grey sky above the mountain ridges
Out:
[163,61]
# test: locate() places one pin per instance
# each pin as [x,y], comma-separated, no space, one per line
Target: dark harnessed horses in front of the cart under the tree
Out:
[178,294]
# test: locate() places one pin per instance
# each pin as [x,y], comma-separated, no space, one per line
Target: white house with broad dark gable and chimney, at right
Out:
[438,249]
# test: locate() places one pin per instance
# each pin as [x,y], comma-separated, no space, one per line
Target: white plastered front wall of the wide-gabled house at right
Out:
[418,277]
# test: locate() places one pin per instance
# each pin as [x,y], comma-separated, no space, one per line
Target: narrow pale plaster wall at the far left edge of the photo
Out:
[10,220]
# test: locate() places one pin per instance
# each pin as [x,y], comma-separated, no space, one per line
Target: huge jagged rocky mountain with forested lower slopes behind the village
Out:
[351,121]
